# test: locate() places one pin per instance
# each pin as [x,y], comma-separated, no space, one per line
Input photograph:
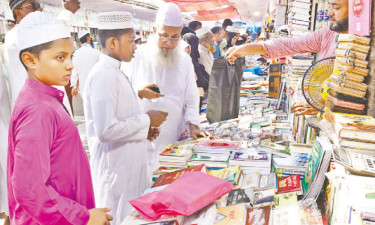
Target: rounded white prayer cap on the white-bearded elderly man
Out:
[169,15]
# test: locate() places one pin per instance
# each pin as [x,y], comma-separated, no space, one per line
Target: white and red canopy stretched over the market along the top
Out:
[202,10]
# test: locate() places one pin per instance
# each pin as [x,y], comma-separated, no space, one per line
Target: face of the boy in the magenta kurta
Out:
[54,66]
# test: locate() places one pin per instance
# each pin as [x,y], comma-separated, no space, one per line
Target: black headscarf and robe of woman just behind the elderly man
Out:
[202,75]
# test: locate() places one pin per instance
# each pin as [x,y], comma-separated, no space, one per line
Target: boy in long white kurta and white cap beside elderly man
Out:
[117,129]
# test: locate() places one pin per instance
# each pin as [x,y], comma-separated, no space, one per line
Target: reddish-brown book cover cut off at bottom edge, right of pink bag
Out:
[258,216]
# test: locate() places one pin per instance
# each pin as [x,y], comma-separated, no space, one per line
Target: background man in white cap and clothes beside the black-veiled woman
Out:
[206,48]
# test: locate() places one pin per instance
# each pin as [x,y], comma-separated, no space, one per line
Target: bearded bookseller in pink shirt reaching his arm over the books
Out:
[322,41]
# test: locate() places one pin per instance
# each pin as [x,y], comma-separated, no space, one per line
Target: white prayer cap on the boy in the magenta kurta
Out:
[39,28]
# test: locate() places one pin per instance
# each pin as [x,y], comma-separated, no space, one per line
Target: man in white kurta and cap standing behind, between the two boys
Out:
[84,59]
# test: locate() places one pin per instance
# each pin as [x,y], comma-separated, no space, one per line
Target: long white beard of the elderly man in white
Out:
[164,58]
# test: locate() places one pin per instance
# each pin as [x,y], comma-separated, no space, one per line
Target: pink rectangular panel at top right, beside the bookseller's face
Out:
[360,17]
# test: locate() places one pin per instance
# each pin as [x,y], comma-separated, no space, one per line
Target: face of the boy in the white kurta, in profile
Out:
[126,47]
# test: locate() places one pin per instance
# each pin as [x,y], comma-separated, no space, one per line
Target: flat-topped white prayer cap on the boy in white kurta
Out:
[115,21]
